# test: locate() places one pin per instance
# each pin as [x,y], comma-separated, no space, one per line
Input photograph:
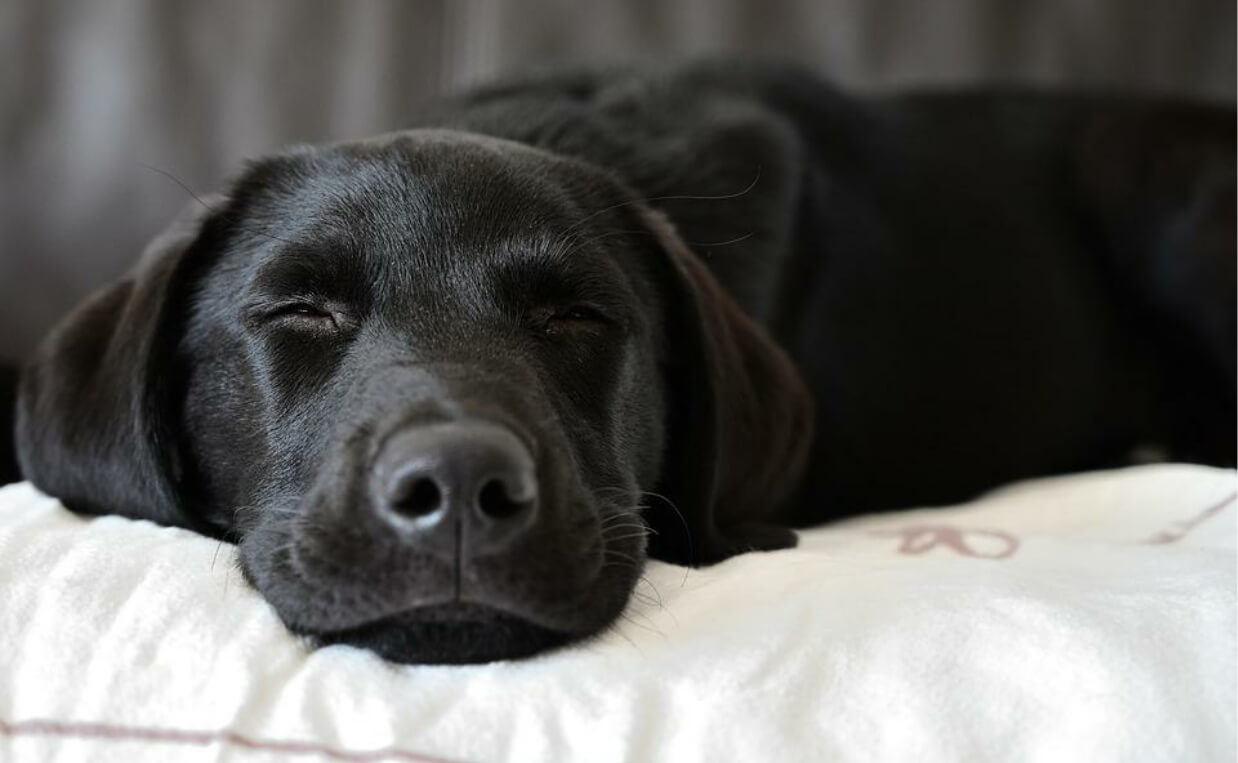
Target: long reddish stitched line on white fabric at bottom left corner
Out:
[41,728]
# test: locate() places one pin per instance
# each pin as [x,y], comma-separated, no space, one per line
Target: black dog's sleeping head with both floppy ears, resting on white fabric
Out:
[446,392]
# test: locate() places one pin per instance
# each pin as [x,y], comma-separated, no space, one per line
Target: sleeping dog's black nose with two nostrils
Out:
[459,487]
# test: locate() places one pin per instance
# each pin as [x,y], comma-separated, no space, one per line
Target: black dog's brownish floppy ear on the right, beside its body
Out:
[740,421]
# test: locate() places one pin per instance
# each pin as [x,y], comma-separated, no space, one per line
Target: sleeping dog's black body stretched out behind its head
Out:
[969,284]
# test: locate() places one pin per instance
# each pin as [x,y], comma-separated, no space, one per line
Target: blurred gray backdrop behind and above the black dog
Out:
[96,95]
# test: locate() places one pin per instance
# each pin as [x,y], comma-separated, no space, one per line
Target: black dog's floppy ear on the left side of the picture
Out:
[93,422]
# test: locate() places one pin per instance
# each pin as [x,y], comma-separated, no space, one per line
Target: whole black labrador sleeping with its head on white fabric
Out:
[449,388]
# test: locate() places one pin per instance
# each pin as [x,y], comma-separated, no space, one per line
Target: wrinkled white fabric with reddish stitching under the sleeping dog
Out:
[1080,619]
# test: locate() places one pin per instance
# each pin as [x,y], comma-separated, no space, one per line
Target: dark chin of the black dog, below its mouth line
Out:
[455,634]
